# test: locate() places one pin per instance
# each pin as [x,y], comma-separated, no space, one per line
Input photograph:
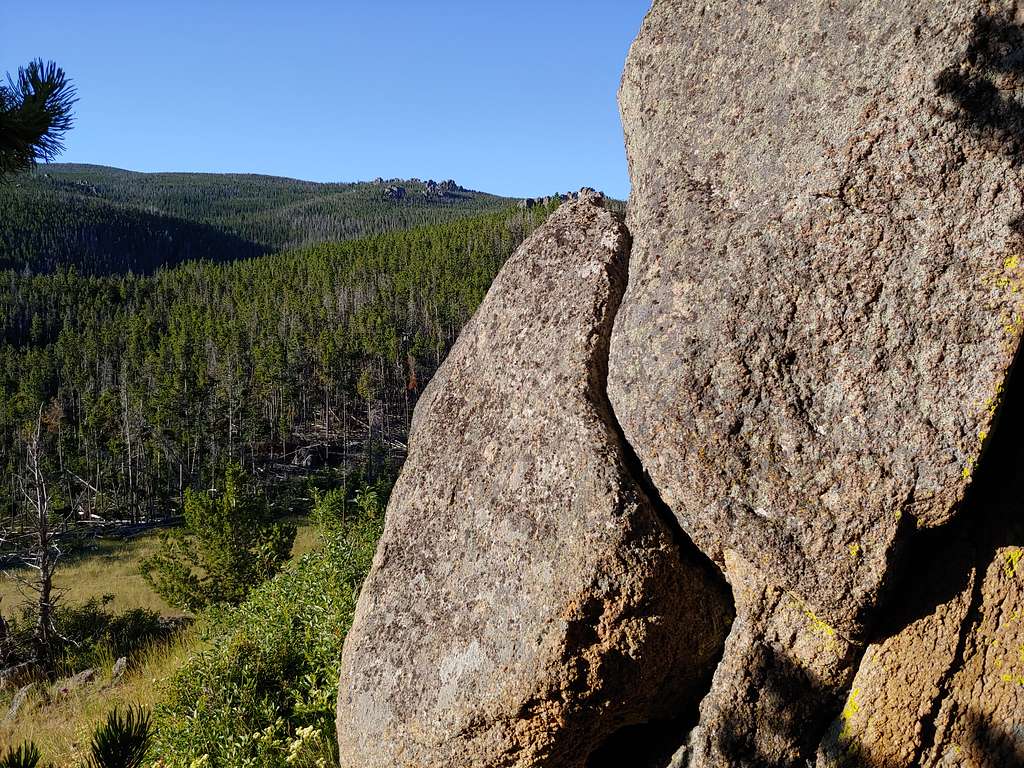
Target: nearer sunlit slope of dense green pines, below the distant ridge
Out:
[149,385]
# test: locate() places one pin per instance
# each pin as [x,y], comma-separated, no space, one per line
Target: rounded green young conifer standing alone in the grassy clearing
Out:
[229,545]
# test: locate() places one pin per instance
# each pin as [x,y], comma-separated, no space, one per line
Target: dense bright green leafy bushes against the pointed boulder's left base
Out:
[264,695]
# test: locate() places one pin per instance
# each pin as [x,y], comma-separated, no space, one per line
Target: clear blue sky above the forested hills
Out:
[513,98]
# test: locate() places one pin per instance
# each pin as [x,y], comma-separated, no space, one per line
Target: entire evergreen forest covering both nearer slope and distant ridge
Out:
[148,382]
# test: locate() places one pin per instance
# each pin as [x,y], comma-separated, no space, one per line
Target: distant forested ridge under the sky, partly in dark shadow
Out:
[106,222]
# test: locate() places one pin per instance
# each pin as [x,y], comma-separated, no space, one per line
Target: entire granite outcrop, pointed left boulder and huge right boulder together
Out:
[814,370]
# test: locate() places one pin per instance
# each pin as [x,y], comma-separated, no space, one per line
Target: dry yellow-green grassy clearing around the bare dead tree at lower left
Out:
[106,605]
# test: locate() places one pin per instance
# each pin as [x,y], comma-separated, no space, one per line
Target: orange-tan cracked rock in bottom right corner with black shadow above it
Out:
[943,682]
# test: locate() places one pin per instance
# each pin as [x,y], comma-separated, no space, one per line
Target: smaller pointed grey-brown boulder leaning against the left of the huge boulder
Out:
[527,600]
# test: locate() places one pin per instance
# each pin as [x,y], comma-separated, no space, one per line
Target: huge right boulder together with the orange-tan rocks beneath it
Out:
[823,309]
